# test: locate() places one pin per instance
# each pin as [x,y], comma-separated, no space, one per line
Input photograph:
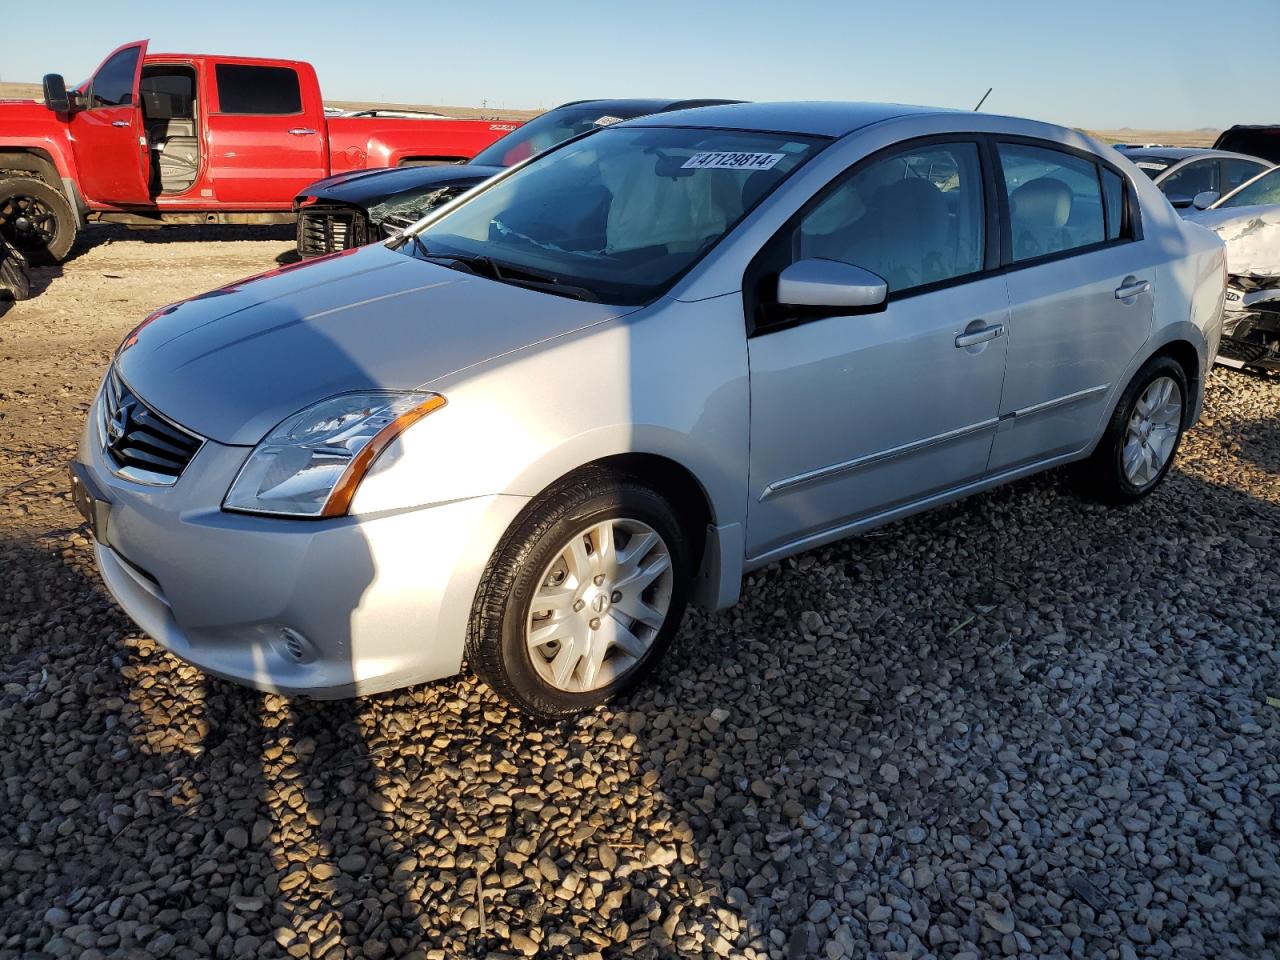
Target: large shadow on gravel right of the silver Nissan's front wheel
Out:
[994,726]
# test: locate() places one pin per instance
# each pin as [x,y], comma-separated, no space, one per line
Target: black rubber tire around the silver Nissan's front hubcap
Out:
[497,650]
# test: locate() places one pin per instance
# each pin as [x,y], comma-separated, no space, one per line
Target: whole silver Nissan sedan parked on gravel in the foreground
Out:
[623,376]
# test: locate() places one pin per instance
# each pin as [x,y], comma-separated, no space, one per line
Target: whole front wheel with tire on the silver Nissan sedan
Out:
[582,597]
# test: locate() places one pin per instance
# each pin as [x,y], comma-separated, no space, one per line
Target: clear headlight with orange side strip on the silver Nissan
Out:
[312,464]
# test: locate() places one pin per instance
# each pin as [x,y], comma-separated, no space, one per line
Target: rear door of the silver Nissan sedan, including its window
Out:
[1081,289]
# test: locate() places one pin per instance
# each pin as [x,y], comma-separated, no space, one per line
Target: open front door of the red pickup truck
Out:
[109,139]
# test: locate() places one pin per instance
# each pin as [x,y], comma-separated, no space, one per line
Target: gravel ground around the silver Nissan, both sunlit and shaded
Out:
[1022,726]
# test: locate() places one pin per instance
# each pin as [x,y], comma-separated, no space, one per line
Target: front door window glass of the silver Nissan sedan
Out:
[913,217]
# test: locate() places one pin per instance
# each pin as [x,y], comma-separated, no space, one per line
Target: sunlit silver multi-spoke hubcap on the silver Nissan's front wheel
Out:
[601,605]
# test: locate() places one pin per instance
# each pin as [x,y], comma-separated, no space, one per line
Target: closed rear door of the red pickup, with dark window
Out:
[267,134]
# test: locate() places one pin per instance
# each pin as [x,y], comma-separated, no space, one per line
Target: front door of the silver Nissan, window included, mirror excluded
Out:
[854,417]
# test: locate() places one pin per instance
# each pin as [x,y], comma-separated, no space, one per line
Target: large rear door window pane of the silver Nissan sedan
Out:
[1055,202]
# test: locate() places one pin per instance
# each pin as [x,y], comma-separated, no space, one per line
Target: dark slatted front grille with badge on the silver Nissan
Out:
[140,444]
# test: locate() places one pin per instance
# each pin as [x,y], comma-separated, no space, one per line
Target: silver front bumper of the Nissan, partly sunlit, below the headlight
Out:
[326,609]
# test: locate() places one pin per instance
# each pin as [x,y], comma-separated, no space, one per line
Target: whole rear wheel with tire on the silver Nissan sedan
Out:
[1142,437]
